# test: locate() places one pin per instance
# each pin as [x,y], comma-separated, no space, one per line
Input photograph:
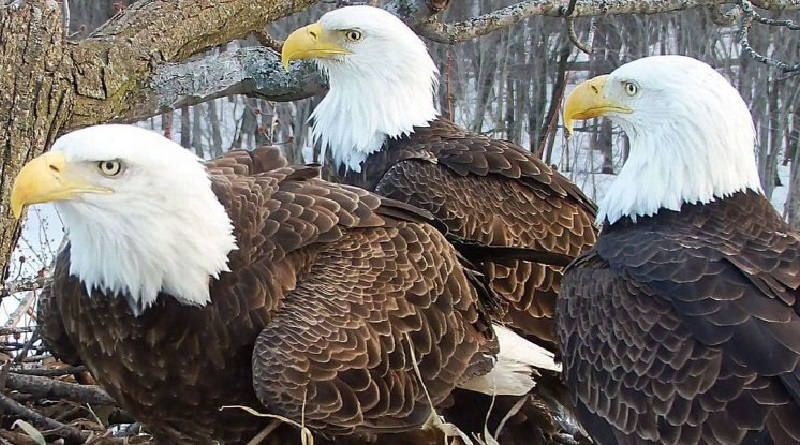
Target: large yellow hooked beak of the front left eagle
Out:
[48,178]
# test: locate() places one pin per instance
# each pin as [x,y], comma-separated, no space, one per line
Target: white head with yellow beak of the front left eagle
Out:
[139,212]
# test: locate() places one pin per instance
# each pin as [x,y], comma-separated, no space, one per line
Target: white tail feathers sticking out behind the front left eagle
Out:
[512,374]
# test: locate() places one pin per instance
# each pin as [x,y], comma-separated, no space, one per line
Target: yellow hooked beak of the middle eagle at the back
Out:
[310,42]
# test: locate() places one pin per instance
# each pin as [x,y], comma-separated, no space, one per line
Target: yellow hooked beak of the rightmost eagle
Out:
[588,100]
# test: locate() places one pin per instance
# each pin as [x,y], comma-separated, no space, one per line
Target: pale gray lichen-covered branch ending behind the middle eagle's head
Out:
[255,71]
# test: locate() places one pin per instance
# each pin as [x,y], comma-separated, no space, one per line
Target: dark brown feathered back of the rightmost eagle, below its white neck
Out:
[685,327]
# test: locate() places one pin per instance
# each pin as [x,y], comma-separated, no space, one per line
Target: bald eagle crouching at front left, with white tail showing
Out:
[188,286]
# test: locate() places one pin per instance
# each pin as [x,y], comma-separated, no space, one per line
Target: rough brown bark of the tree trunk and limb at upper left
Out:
[49,85]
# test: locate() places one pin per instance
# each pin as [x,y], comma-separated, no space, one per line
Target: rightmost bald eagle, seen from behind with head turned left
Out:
[682,324]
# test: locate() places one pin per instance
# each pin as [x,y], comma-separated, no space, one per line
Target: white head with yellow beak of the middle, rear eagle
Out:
[381,78]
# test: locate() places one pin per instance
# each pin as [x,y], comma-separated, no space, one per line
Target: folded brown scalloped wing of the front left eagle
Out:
[336,353]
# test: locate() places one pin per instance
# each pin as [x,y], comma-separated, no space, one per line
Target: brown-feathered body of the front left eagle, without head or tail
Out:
[337,283]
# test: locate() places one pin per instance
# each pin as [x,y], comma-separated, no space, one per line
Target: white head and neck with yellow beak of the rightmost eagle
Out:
[691,135]
